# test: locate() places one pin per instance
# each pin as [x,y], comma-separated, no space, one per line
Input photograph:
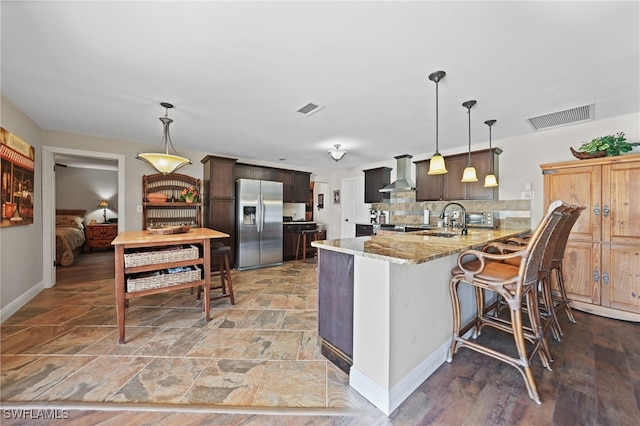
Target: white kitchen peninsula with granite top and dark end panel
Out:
[384,310]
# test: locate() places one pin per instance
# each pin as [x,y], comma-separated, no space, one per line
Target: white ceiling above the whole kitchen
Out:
[237,71]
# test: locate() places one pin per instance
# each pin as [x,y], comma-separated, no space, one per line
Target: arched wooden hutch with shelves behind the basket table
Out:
[171,212]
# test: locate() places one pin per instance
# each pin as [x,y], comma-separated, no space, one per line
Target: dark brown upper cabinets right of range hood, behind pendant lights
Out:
[448,186]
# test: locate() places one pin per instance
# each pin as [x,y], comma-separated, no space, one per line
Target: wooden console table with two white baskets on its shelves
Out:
[130,242]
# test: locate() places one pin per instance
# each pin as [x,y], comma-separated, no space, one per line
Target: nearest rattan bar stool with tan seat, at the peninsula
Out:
[515,283]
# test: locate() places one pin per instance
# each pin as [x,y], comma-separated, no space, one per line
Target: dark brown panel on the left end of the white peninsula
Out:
[335,307]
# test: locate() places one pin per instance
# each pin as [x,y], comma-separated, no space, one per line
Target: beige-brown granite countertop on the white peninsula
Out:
[412,248]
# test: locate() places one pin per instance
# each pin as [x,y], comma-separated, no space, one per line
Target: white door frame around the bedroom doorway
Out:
[49,202]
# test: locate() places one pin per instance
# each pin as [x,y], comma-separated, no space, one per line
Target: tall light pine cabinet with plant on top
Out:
[602,257]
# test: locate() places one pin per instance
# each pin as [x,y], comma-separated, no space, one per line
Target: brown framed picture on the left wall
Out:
[17,164]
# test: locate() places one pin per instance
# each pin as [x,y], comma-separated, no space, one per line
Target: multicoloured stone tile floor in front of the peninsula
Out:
[261,352]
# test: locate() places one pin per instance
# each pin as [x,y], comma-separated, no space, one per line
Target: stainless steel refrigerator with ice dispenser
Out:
[258,223]
